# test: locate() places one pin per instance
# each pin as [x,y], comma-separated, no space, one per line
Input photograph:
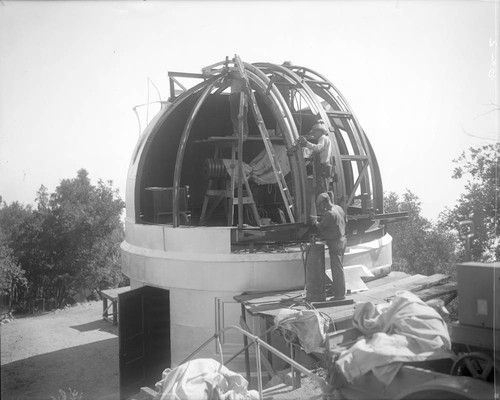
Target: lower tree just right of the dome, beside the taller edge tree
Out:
[418,245]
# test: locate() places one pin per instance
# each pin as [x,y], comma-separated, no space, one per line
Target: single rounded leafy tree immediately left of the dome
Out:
[85,228]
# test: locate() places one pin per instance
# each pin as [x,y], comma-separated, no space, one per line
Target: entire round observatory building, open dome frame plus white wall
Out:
[211,151]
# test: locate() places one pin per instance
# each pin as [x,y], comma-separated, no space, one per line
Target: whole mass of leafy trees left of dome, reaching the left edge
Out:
[69,242]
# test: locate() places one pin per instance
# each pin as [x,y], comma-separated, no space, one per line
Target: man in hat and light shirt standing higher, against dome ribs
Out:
[323,148]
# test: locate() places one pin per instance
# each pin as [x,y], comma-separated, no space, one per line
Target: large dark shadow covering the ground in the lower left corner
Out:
[91,369]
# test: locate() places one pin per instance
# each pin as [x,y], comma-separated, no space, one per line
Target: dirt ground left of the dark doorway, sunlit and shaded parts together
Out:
[71,348]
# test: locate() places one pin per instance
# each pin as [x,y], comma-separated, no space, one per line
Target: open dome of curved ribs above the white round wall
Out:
[196,128]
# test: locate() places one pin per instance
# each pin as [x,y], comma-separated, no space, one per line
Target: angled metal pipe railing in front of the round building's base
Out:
[258,342]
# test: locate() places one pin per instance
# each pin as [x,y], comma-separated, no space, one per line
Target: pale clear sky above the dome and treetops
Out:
[421,77]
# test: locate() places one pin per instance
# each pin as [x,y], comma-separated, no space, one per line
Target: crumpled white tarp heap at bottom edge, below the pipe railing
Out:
[203,379]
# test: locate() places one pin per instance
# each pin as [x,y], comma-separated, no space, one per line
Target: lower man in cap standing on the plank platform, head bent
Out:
[331,227]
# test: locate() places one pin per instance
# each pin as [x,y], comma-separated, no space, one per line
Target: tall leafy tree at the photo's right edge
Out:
[480,202]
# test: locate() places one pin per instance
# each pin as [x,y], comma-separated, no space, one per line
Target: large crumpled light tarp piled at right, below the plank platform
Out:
[404,330]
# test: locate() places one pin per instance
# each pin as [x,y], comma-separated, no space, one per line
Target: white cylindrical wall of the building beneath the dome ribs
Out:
[203,276]
